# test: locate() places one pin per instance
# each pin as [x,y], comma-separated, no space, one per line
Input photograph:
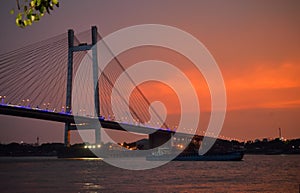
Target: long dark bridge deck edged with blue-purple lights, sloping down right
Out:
[69,119]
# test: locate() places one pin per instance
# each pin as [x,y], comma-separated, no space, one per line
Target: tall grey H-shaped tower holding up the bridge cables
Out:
[71,50]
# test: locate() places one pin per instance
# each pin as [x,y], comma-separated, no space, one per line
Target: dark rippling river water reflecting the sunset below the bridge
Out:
[276,173]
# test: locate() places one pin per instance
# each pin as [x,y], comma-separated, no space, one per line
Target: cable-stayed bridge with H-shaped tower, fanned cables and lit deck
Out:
[36,81]
